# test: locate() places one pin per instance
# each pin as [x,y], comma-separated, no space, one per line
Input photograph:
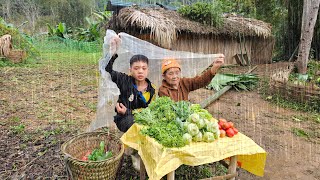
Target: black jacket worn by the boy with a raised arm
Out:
[128,93]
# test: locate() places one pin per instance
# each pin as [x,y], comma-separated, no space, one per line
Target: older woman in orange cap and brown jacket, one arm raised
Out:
[178,88]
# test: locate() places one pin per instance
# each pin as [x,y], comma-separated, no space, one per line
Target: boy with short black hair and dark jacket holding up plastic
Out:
[136,91]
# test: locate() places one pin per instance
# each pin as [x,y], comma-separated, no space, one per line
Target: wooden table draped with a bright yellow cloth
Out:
[159,161]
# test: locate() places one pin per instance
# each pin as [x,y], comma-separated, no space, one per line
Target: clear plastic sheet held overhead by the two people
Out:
[108,92]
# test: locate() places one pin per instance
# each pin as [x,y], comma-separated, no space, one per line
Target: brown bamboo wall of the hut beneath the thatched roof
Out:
[259,50]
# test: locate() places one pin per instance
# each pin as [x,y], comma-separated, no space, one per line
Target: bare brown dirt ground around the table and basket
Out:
[41,107]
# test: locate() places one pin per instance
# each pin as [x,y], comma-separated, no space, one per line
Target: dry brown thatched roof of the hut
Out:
[165,25]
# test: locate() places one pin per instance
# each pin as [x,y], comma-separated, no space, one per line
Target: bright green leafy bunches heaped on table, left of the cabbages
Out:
[160,122]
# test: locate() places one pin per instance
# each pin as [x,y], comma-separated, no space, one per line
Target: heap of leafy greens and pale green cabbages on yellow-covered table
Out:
[176,124]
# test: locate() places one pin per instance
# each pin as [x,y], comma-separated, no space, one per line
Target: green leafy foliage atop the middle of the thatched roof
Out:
[205,13]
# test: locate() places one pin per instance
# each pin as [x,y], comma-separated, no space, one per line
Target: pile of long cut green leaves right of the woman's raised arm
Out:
[245,82]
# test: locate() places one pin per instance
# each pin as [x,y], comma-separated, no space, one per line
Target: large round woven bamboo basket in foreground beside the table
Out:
[75,148]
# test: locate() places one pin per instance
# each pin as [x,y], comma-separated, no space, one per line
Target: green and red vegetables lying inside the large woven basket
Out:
[98,154]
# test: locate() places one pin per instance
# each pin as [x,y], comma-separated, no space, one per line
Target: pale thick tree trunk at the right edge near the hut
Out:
[309,18]
